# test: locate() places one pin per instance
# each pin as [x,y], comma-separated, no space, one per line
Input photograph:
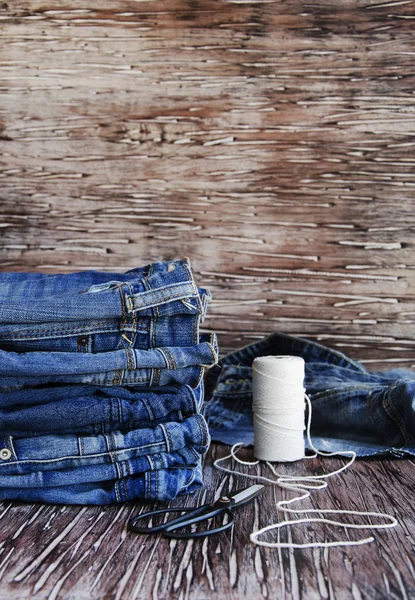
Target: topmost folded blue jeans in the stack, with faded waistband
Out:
[160,289]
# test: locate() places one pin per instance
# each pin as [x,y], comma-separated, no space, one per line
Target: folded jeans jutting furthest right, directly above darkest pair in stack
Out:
[157,366]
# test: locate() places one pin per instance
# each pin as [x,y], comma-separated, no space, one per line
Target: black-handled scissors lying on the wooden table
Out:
[225,505]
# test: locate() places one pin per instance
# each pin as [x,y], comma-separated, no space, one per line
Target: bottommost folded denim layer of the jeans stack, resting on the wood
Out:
[164,484]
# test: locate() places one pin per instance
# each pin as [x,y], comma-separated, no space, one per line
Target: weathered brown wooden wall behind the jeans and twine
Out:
[269,141]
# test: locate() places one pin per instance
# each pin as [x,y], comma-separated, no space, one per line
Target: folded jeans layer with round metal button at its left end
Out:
[66,451]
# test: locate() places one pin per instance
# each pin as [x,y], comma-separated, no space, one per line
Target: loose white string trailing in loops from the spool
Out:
[304,484]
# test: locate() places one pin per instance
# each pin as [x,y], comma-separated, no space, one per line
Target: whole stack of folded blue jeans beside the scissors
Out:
[101,384]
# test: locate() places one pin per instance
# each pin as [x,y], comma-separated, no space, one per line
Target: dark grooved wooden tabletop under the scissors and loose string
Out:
[87,553]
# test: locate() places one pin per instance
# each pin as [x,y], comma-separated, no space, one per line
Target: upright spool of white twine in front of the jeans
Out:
[278,404]
